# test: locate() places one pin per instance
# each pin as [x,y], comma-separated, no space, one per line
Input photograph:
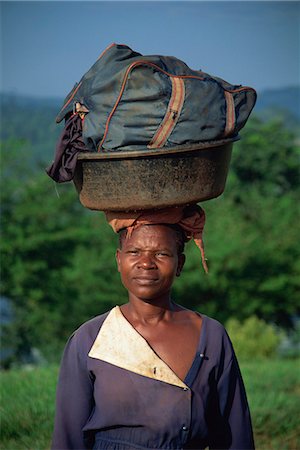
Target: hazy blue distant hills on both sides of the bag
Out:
[33,119]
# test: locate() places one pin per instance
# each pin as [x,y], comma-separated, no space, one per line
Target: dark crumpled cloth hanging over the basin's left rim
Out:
[67,149]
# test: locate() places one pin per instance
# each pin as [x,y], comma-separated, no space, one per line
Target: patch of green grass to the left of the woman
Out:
[28,404]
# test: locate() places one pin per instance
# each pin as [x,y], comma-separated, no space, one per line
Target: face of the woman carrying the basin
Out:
[148,262]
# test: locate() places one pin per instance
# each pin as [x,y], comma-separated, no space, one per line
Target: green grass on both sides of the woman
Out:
[273,388]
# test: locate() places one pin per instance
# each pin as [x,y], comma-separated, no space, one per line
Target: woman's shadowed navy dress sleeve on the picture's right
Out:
[233,430]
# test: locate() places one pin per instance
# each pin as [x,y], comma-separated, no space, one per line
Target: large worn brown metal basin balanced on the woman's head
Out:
[134,180]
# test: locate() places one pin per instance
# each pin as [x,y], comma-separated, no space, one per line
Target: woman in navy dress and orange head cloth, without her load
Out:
[152,374]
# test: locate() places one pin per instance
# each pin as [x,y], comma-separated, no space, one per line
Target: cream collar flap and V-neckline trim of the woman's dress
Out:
[120,344]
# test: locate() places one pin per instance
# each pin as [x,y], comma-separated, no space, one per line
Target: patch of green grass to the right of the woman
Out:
[273,393]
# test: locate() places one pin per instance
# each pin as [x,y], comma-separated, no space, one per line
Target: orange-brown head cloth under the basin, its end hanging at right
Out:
[191,219]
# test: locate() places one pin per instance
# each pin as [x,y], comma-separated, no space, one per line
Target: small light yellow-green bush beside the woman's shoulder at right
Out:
[253,338]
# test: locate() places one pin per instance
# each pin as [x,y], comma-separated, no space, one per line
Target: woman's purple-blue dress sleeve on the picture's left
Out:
[74,398]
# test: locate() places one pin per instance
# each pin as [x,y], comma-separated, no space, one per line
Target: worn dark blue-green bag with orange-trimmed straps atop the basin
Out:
[130,102]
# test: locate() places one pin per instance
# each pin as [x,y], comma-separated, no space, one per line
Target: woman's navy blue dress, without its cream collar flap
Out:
[102,406]
